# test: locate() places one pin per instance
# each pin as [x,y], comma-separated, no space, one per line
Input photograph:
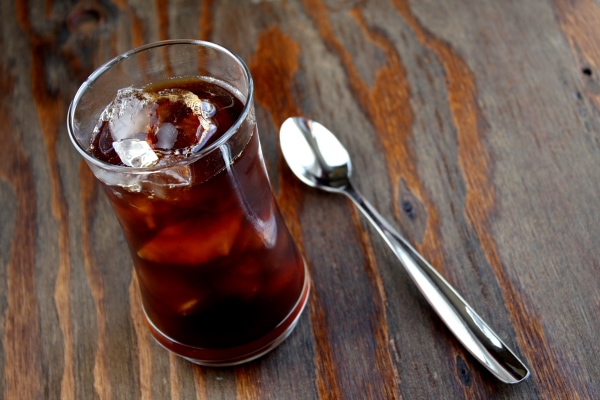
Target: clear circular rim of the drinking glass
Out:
[187,160]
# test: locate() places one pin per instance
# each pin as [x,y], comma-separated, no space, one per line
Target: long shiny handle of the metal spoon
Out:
[477,337]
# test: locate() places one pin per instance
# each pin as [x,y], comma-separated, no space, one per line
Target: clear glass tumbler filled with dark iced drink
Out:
[222,281]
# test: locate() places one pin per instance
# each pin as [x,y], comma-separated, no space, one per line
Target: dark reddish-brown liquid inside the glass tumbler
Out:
[216,265]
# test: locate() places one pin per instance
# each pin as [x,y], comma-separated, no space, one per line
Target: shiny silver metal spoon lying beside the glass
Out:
[318,159]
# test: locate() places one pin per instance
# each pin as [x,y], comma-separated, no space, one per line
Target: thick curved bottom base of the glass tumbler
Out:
[239,354]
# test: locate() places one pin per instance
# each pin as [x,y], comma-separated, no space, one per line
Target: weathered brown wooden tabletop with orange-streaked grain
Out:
[473,125]
